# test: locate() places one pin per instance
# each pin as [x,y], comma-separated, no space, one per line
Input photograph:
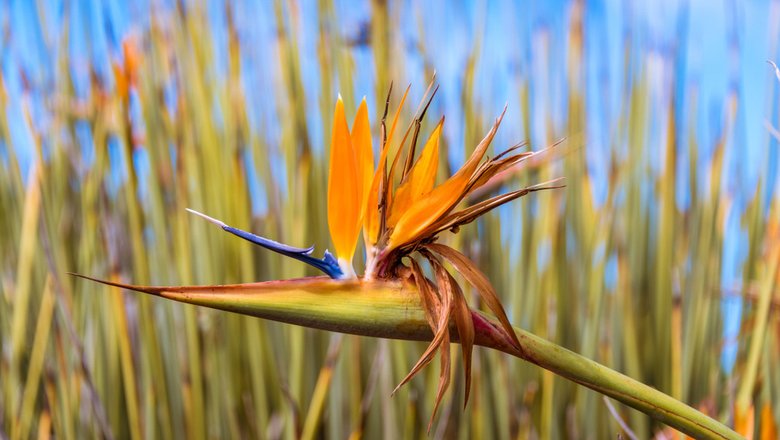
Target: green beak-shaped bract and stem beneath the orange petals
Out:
[392,310]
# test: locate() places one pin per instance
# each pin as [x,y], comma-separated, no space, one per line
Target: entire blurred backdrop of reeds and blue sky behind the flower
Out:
[659,258]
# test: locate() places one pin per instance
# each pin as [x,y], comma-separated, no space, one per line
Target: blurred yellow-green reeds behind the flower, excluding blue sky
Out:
[81,360]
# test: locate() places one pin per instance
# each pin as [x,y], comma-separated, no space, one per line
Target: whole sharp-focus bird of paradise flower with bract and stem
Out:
[402,213]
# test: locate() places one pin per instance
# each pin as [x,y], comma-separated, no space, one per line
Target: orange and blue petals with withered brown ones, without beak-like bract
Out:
[402,213]
